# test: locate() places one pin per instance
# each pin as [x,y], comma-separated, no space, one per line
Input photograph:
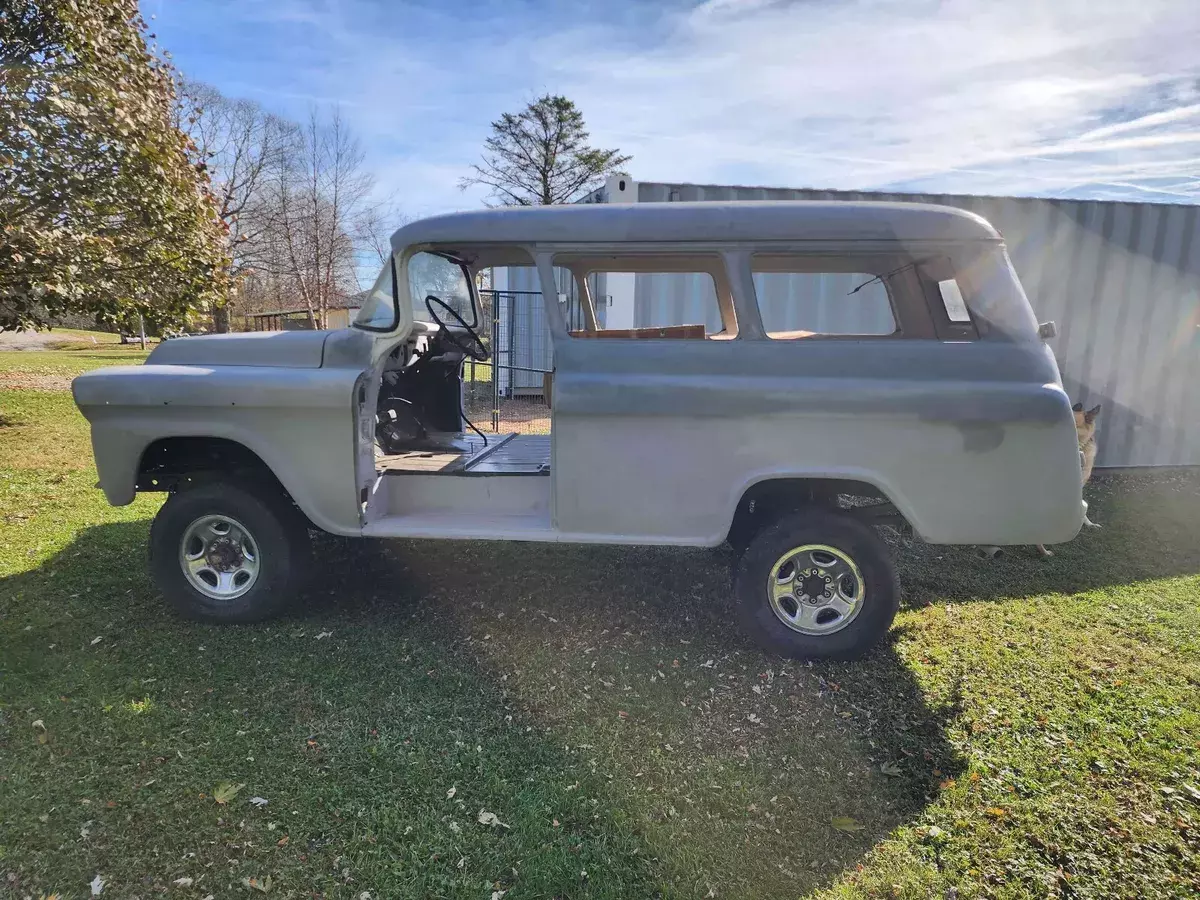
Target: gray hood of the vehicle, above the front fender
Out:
[285,350]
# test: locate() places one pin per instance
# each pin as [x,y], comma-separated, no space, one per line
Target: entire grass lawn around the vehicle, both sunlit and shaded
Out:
[1031,729]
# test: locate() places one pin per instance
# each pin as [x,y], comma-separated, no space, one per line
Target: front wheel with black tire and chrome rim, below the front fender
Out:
[229,551]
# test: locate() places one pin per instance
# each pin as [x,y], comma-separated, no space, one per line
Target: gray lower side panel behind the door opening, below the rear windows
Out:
[975,443]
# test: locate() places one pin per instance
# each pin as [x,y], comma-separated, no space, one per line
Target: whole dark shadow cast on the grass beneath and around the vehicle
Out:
[622,671]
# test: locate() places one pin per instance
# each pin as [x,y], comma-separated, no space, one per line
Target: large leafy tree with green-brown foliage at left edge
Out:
[105,206]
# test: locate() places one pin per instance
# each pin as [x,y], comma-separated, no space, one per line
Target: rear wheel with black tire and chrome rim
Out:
[817,585]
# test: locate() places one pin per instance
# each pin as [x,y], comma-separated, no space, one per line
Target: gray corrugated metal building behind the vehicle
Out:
[1121,280]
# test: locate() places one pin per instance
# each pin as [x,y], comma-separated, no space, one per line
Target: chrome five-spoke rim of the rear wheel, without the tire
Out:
[815,590]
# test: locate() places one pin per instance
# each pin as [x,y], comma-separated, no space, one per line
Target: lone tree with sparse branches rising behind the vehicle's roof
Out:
[542,157]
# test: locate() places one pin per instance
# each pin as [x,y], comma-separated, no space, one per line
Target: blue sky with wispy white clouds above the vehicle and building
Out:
[1060,98]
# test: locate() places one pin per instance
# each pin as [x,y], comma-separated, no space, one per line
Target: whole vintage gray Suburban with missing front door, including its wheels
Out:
[953,419]
